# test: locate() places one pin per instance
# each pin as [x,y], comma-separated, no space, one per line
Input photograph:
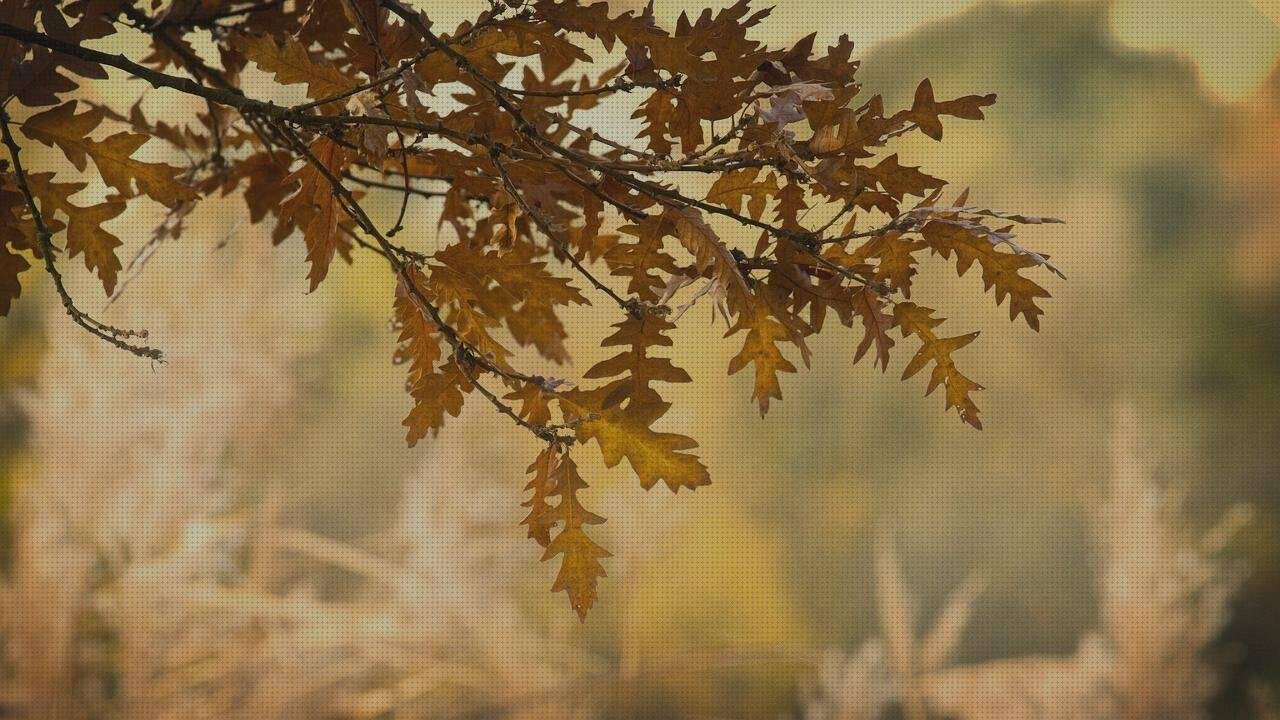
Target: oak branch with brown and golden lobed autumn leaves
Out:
[487,130]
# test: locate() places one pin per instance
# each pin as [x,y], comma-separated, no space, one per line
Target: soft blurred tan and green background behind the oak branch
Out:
[243,532]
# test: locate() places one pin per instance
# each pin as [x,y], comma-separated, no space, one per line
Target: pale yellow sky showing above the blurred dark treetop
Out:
[1236,43]
